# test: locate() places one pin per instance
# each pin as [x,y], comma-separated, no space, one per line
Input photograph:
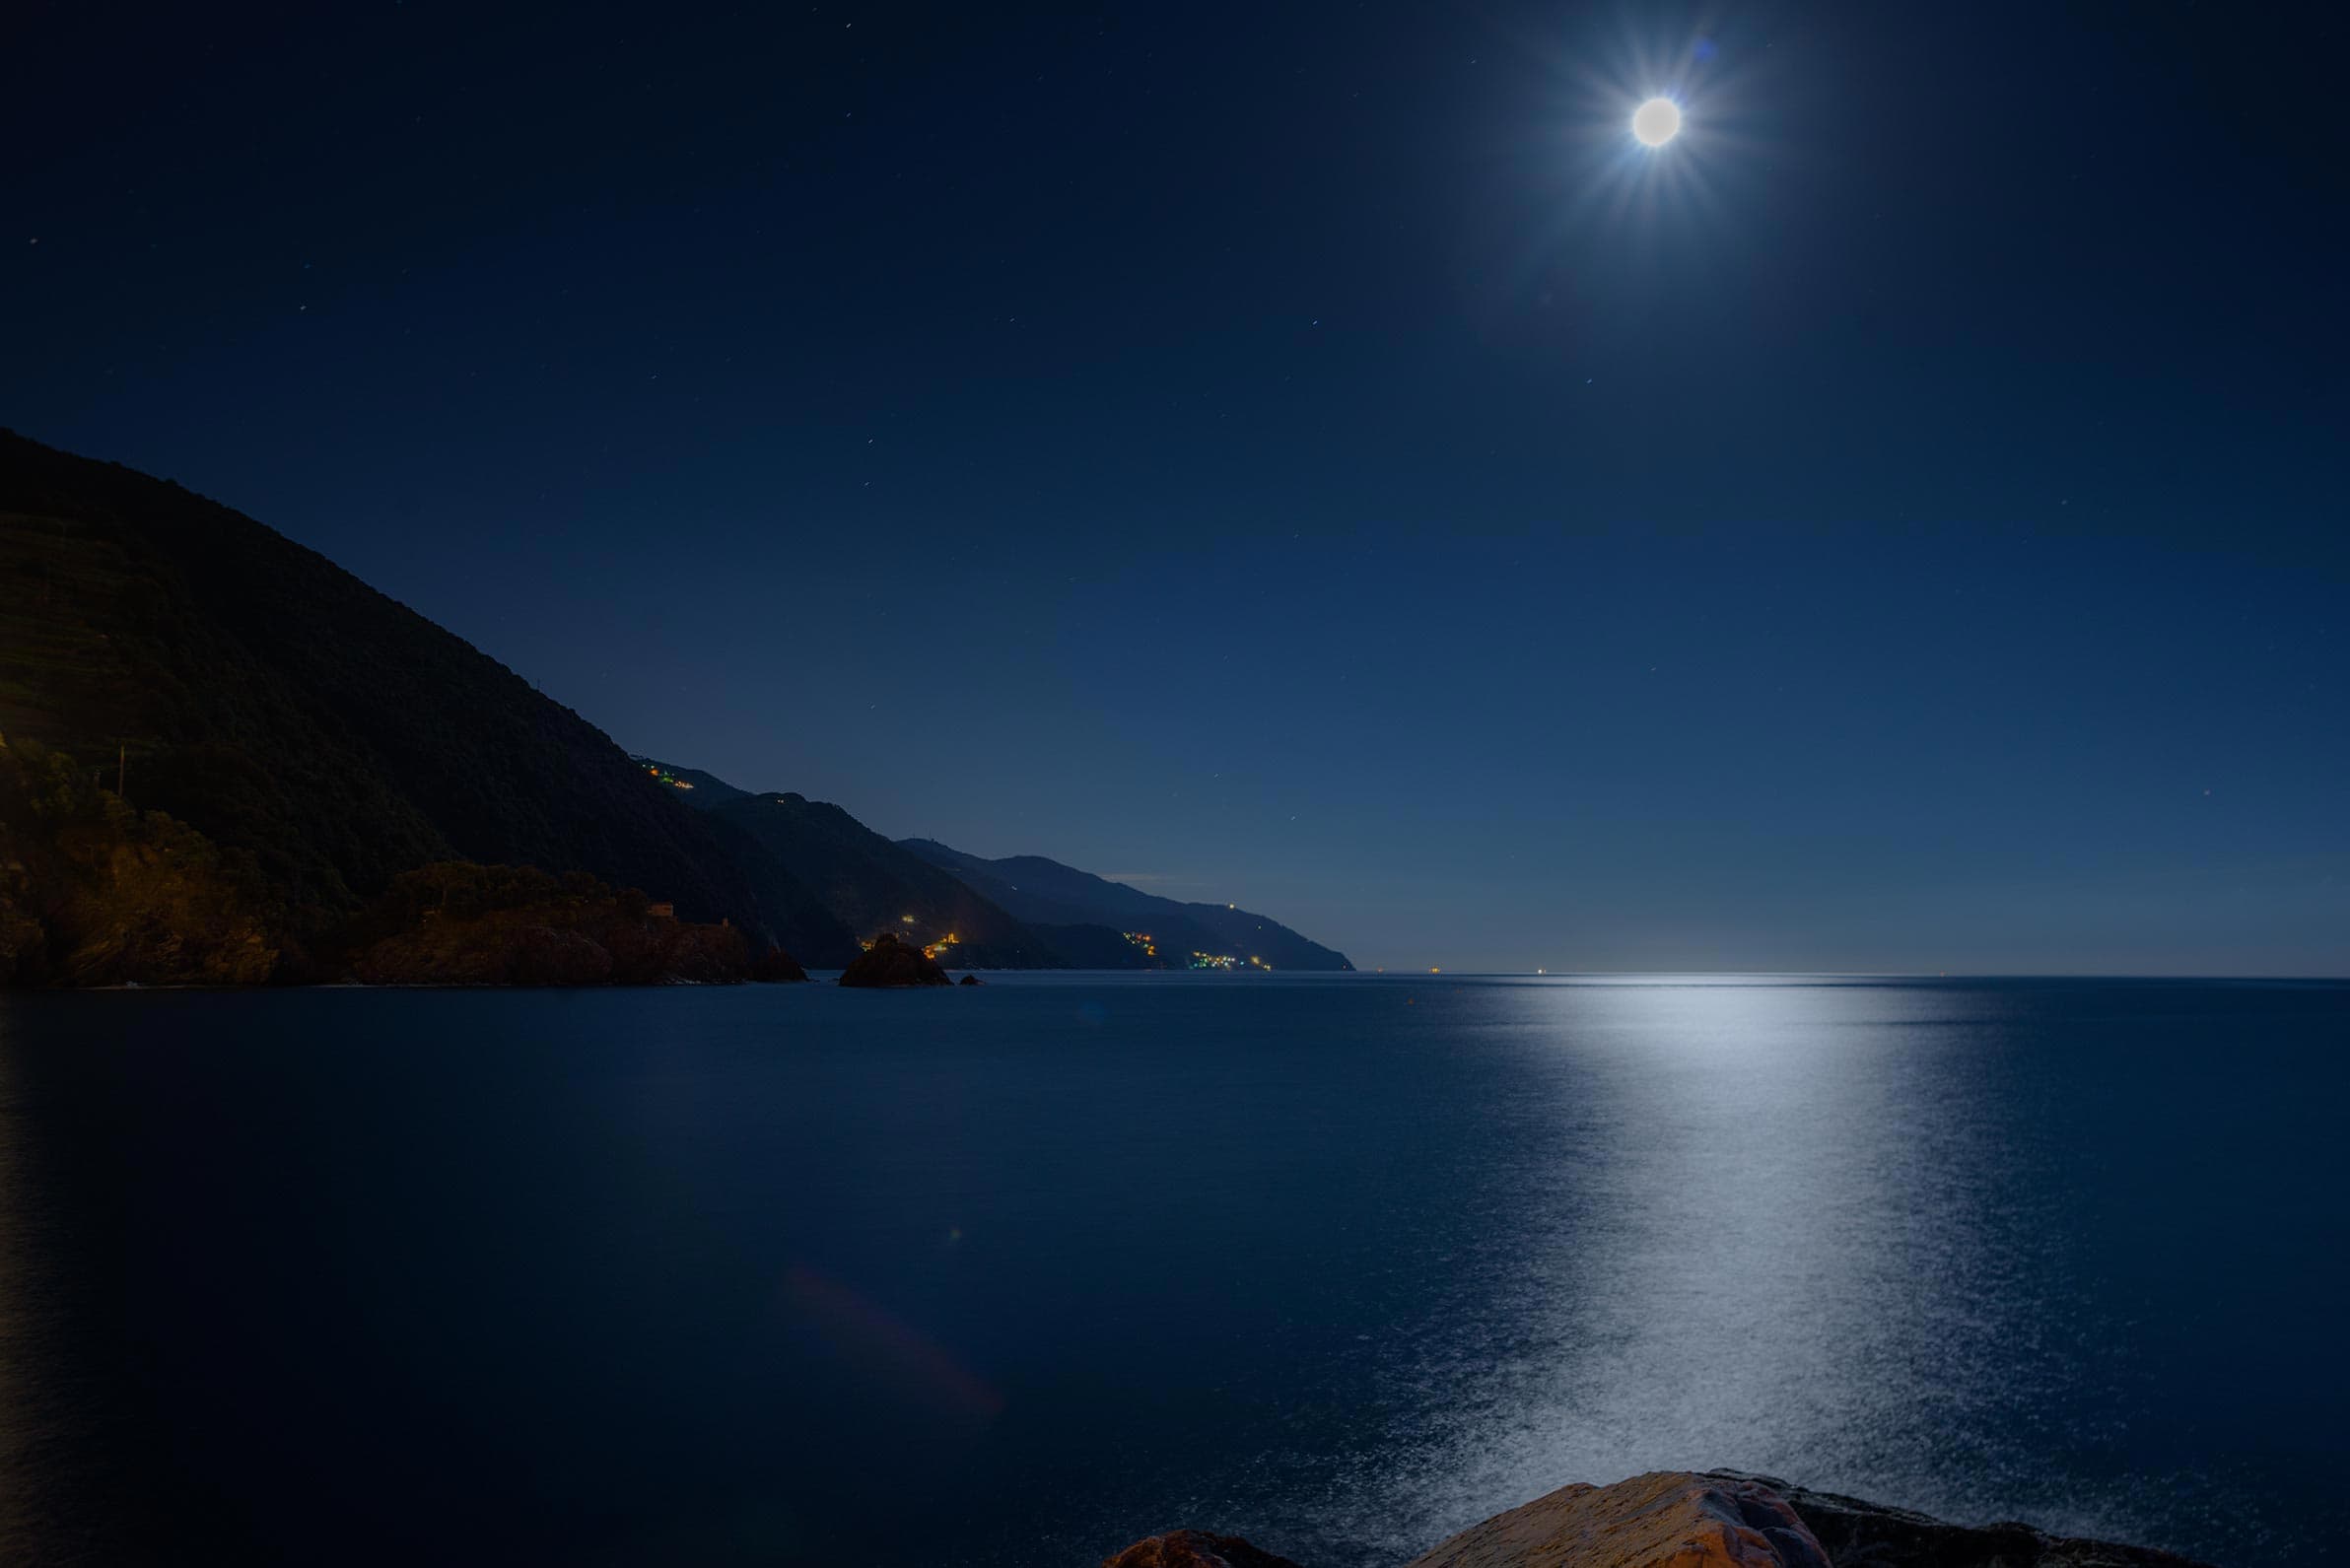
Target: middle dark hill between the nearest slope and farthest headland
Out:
[866,880]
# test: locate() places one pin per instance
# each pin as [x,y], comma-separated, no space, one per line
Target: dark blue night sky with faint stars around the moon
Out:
[1308,455]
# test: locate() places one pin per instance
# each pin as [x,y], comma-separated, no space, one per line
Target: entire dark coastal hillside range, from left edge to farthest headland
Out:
[217,749]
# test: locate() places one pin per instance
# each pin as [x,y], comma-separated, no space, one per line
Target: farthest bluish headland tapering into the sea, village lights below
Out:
[1186,934]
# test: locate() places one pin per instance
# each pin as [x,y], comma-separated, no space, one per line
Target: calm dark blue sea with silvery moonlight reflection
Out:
[807,1275]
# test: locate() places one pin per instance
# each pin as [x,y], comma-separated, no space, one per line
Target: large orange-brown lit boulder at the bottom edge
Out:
[1691,1522]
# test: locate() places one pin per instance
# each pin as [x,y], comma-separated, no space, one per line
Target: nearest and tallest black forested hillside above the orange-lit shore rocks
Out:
[321,735]
